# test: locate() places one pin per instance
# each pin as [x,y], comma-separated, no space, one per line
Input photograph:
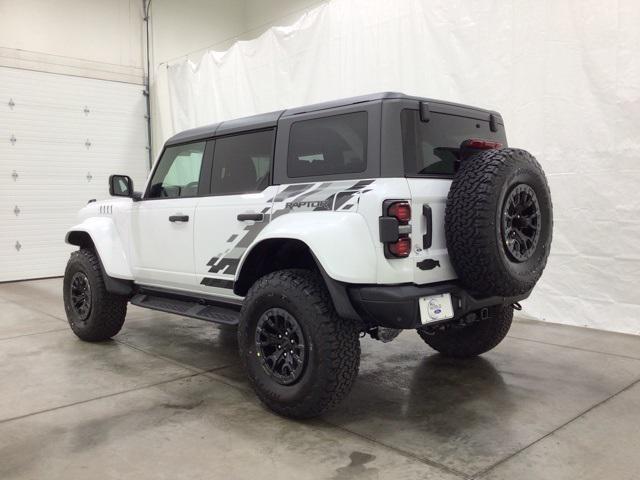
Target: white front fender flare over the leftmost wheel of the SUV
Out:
[105,237]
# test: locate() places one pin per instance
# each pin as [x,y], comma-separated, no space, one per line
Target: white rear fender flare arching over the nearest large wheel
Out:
[340,241]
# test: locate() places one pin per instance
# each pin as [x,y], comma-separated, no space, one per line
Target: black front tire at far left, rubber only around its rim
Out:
[107,312]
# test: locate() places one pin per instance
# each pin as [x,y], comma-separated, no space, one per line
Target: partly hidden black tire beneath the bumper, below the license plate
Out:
[472,339]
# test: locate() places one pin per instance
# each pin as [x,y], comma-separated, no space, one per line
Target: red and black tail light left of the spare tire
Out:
[395,228]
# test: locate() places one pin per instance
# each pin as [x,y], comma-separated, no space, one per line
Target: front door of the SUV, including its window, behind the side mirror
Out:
[162,223]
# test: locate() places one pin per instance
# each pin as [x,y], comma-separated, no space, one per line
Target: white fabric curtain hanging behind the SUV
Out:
[564,74]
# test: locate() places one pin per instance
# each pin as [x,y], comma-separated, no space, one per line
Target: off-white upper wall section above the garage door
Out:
[92,38]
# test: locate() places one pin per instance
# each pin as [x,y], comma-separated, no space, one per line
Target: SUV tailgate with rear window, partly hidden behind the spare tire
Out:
[431,154]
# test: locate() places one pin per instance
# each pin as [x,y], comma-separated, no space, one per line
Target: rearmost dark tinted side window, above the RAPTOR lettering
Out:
[328,146]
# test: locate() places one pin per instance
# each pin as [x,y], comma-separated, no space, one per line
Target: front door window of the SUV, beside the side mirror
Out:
[178,172]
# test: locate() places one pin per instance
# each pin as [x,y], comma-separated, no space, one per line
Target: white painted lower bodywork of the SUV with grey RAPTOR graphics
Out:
[338,221]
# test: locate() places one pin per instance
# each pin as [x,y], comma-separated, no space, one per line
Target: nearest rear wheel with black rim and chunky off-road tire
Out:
[301,358]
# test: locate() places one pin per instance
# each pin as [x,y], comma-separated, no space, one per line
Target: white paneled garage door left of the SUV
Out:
[70,134]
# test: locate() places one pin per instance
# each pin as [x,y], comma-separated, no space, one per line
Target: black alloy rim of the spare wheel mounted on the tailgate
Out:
[521,222]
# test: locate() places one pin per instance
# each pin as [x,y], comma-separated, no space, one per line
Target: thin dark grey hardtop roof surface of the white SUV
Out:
[270,119]
